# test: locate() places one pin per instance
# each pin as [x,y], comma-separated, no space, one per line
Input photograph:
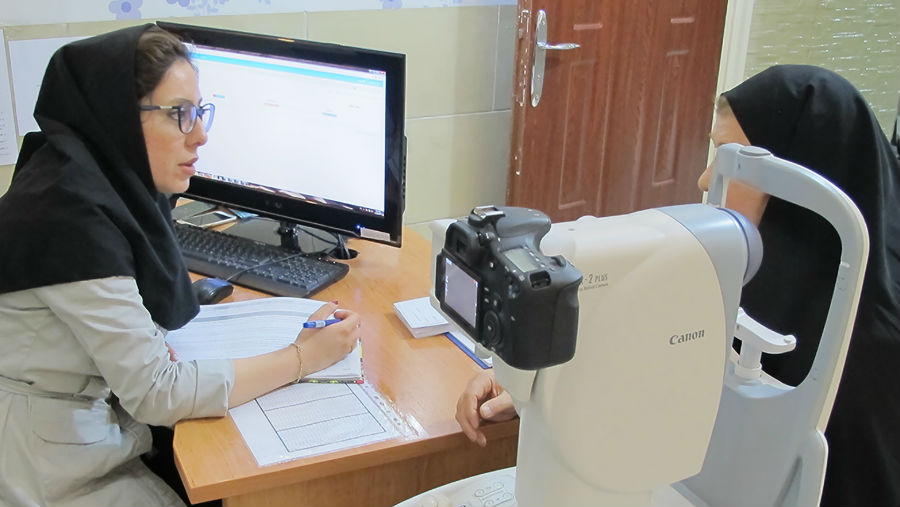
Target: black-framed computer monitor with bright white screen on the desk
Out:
[304,132]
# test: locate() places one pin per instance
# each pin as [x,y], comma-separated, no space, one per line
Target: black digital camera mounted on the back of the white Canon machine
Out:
[492,279]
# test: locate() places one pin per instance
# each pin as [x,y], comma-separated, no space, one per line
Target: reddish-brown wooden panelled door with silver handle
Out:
[623,120]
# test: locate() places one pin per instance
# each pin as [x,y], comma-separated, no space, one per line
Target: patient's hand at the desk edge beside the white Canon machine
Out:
[483,398]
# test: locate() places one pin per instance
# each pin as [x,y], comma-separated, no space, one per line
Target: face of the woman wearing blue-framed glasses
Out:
[172,154]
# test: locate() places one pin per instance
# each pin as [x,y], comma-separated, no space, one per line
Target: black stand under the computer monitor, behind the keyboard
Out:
[298,238]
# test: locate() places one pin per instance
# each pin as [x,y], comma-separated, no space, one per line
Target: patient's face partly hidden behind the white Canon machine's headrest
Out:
[742,198]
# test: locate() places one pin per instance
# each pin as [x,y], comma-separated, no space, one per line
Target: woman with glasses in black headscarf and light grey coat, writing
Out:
[91,279]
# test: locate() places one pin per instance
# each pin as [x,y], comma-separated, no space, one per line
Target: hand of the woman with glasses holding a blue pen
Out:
[325,346]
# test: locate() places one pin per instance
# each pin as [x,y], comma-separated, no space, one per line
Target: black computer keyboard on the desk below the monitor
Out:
[254,264]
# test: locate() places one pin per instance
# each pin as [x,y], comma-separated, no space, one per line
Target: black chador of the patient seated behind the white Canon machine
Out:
[815,118]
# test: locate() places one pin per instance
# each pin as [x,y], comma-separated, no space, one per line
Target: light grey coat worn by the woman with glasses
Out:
[83,370]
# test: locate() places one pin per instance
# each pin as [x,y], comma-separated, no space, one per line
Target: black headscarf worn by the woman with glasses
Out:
[82,204]
